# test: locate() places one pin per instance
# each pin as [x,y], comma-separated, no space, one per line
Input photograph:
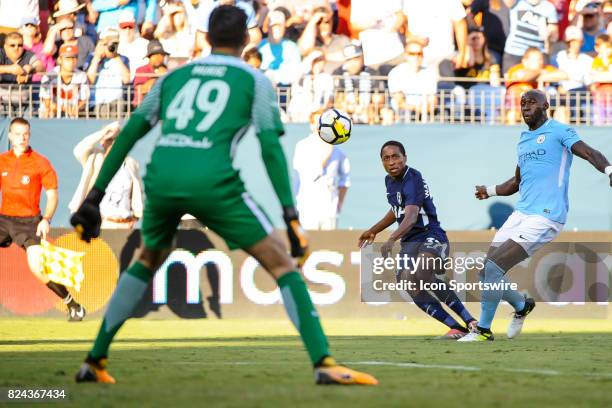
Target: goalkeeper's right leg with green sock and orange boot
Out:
[272,255]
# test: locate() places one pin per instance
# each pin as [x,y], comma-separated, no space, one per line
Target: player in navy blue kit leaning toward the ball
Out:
[421,237]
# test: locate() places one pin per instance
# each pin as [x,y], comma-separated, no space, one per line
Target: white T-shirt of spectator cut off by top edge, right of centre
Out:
[436,23]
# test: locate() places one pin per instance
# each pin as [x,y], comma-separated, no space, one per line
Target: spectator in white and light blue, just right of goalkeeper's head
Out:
[280,58]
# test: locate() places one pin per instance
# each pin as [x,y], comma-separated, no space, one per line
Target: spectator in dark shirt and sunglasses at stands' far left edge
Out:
[16,67]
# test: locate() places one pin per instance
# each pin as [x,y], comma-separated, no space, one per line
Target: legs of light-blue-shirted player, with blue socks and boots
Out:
[499,261]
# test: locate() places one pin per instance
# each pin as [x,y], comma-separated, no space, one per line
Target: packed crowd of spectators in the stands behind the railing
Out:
[383,61]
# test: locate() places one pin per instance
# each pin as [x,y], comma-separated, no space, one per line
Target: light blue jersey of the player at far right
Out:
[545,158]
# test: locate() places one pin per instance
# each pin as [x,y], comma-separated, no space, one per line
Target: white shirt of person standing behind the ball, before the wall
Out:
[321,170]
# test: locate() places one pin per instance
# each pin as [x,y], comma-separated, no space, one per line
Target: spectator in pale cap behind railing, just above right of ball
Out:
[356,85]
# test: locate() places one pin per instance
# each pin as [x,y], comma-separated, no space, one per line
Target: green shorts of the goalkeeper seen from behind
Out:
[234,217]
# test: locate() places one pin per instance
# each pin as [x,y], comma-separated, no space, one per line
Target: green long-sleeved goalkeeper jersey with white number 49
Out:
[205,108]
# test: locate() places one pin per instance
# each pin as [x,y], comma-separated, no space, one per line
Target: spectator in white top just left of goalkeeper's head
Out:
[174,32]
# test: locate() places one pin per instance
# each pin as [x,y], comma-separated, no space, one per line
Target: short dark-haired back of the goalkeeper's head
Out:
[227,27]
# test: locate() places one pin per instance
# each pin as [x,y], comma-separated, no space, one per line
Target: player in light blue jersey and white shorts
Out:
[545,154]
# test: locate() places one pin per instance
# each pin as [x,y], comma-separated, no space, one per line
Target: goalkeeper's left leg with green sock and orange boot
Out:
[130,289]
